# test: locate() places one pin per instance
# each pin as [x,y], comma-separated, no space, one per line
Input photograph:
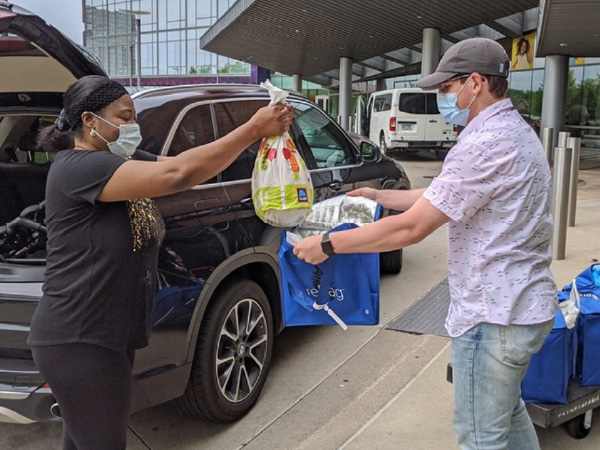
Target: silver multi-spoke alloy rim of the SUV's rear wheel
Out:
[241,350]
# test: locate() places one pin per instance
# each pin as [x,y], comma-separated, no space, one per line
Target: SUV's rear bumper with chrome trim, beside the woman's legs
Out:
[26,406]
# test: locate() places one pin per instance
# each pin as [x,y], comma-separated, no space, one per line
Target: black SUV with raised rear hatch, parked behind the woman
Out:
[217,308]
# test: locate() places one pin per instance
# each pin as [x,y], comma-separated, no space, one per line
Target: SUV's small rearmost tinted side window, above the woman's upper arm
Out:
[195,129]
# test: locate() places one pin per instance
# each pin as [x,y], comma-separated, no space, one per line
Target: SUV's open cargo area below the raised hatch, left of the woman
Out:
[23,173]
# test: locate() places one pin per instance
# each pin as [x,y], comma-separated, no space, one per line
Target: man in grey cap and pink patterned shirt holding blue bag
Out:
[493,193]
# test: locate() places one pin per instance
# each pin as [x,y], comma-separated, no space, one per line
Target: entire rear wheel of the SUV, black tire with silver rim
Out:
[225,391]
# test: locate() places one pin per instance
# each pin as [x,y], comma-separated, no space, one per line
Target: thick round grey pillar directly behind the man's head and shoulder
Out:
[555,94]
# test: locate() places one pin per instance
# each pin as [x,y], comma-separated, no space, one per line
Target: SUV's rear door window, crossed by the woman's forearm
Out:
[229,116]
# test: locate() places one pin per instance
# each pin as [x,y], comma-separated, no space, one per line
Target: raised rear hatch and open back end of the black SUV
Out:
[37,64]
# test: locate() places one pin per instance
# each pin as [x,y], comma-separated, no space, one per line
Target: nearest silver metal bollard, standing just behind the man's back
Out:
[560,197]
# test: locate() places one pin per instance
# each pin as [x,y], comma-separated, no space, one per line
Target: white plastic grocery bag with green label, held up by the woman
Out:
[282,190]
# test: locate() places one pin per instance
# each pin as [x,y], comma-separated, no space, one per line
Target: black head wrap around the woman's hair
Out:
[102,96]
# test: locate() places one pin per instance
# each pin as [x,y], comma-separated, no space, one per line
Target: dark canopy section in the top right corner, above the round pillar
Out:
[569,27]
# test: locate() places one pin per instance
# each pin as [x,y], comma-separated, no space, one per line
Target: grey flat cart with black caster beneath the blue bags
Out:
[576,414]
